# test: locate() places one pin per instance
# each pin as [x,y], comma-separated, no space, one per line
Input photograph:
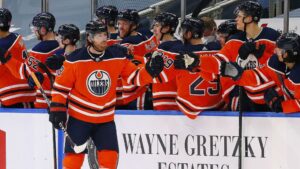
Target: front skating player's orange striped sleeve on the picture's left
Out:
[64,83]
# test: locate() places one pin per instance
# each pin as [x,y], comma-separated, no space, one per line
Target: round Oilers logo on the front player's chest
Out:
[98,83]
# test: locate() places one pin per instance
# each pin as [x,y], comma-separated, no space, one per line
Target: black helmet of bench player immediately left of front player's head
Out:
[69,31]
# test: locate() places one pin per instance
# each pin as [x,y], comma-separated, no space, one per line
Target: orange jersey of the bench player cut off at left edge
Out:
[14,90]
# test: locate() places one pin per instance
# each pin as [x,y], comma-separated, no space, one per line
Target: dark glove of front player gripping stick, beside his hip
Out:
[57,114]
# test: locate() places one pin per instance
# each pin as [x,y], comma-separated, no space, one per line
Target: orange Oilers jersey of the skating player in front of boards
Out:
[90,86]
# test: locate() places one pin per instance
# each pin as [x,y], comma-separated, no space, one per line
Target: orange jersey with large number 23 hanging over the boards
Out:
[194,93]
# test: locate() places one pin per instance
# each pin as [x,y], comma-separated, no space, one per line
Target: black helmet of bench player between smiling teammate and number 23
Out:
[167,19]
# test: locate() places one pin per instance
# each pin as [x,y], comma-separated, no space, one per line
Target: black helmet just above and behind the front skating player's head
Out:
[109,13]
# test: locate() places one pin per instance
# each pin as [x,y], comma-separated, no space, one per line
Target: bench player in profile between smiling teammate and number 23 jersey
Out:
[164,27]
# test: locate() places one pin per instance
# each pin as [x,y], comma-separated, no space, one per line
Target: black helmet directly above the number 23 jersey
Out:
[196,26]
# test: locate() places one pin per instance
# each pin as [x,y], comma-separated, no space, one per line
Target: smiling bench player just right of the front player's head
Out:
[139,46]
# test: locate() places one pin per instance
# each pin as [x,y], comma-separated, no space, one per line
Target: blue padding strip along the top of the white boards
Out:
[170,112]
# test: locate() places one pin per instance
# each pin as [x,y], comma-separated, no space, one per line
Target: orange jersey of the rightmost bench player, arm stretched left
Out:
[287,81]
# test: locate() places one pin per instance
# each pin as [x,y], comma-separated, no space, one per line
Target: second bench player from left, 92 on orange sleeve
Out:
[43,26]
